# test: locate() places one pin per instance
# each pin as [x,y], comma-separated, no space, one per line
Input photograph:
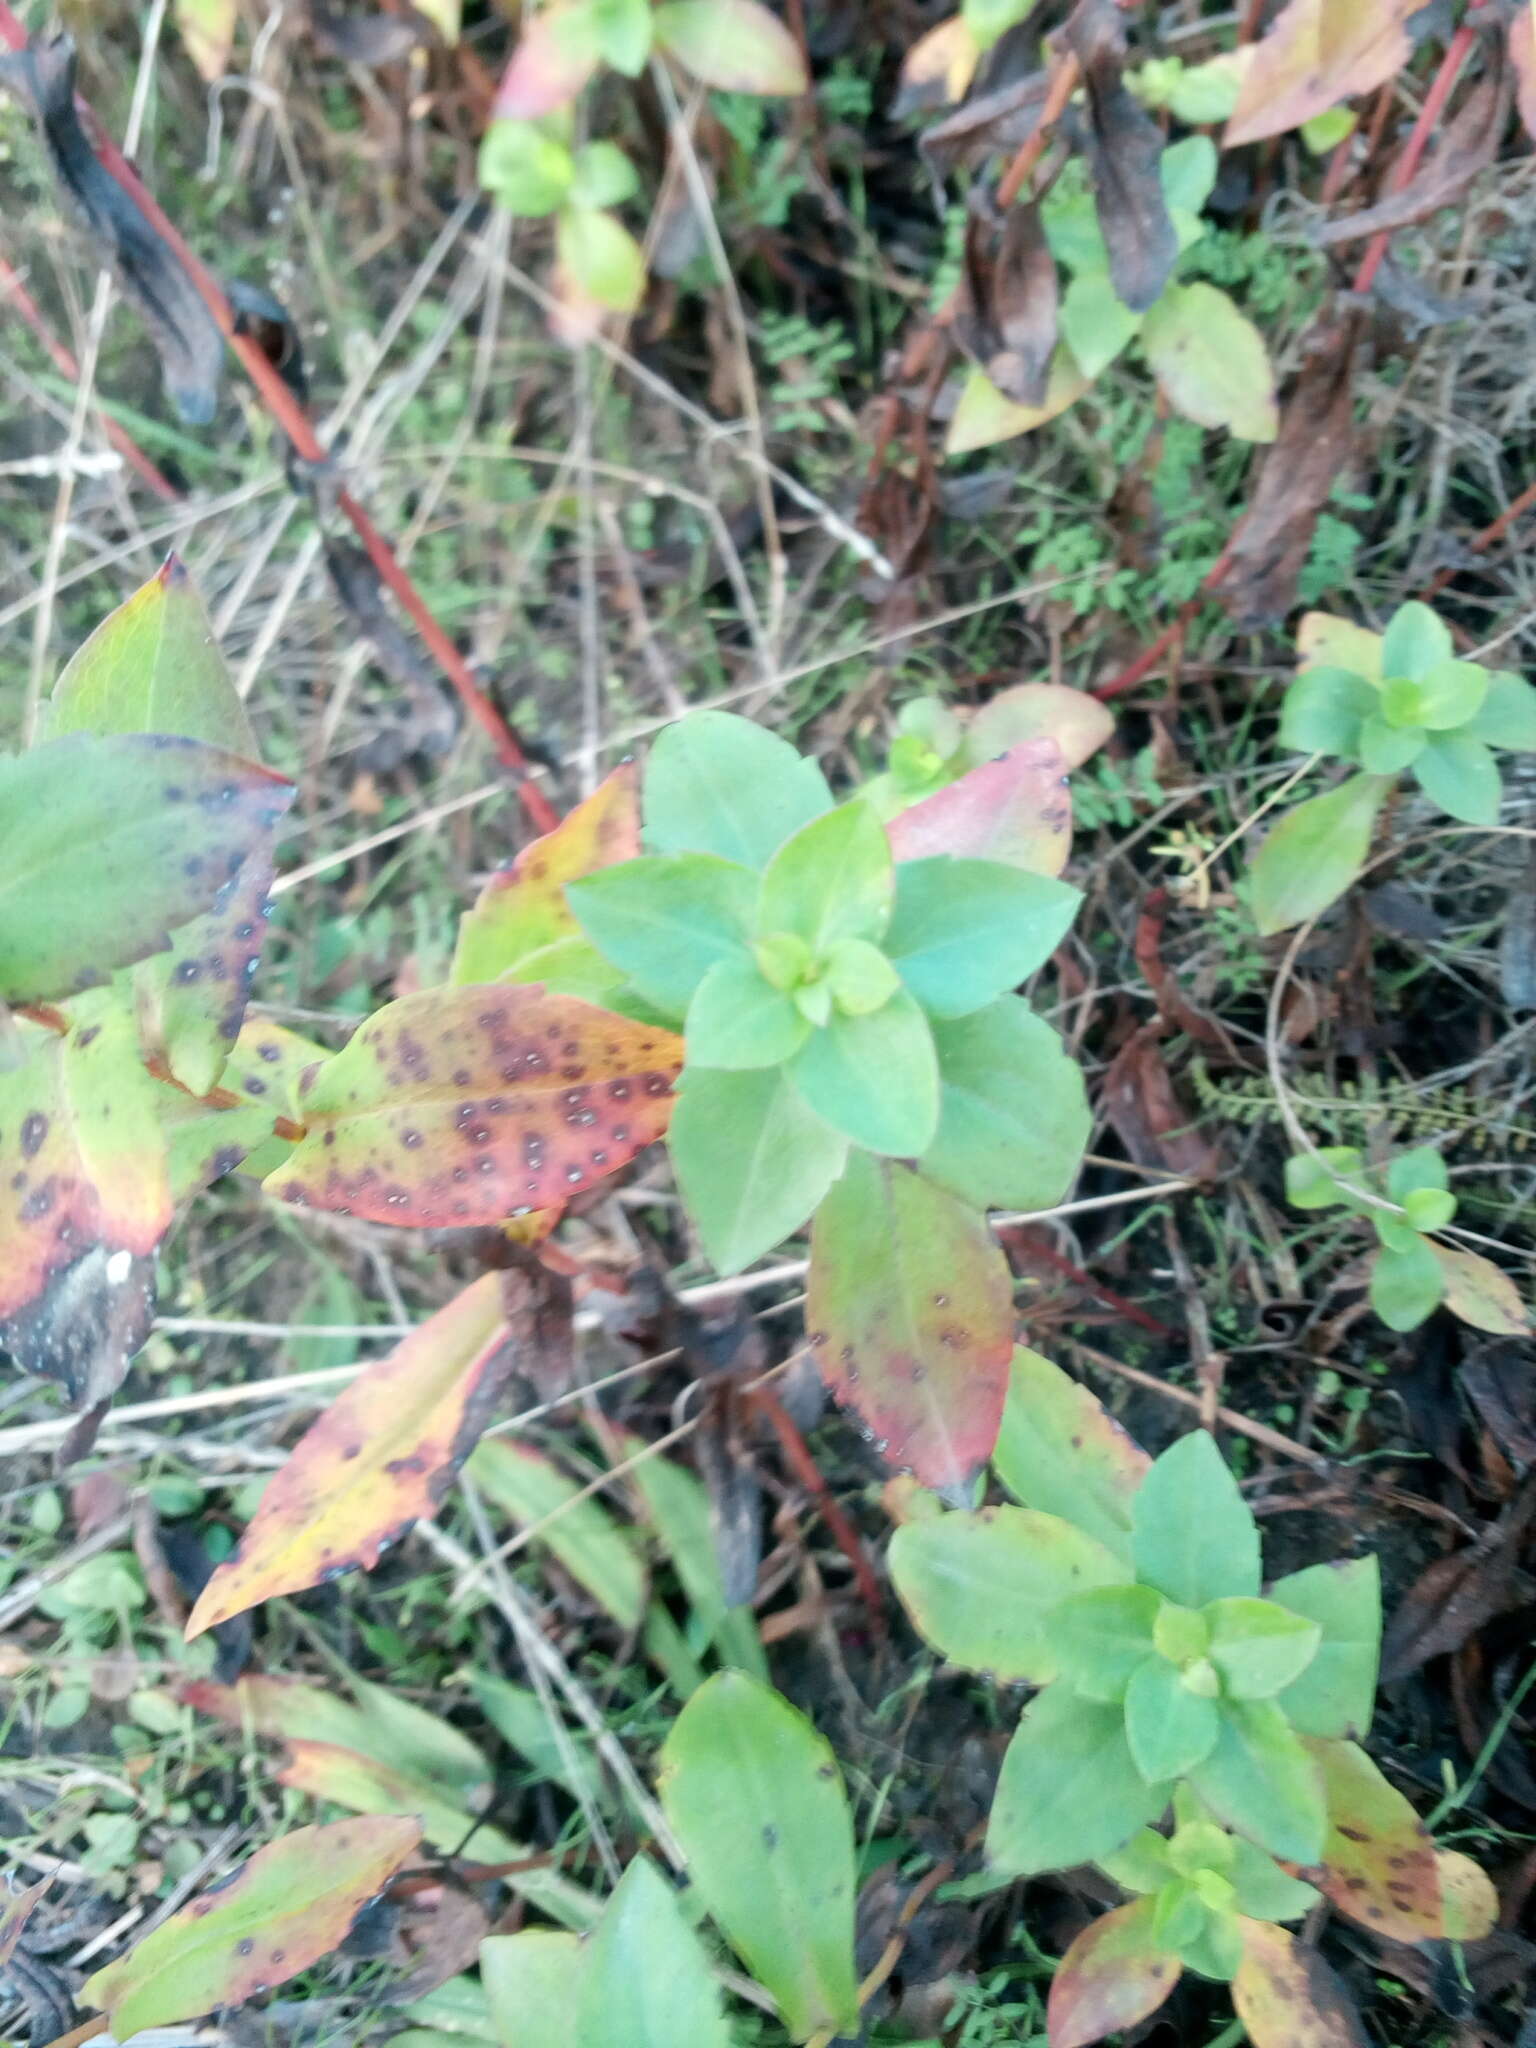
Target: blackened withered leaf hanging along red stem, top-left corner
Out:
[148,271]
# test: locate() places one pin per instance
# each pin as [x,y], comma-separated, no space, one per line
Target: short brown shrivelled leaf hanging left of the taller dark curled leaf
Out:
[1007,306]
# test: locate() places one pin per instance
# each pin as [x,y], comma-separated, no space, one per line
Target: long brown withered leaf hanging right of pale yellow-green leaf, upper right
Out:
[1297,476]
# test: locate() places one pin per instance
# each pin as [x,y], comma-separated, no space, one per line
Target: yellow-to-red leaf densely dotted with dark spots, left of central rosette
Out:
[464,1107]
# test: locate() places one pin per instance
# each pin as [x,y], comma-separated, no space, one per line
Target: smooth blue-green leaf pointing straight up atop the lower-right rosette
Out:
[1195,1555]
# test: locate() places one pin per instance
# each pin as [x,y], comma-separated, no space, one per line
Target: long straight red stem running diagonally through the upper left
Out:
[294,421]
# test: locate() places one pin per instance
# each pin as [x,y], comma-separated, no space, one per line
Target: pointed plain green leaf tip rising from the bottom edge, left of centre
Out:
[648,1981]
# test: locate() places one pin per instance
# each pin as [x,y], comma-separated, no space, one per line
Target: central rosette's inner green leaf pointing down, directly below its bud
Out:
[876,1078]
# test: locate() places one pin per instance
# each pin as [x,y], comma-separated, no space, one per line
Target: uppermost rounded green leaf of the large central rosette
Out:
[722,785]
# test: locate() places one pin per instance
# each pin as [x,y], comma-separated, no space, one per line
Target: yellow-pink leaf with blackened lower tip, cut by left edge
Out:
[85,1199]
